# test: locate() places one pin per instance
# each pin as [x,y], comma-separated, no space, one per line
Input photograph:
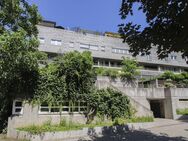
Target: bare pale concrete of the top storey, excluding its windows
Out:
[68,36]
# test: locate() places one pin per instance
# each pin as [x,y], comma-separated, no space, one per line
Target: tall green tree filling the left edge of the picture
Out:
[18,53]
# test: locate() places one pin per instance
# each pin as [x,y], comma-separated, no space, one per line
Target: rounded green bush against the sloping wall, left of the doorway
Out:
[113,104]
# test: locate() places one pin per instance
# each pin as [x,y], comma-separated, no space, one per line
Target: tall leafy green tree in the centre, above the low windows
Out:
[78,71]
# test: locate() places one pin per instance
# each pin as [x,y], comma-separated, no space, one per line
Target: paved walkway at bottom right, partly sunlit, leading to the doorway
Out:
[168,130]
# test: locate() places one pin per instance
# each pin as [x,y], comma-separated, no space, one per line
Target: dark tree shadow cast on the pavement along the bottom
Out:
[120,133]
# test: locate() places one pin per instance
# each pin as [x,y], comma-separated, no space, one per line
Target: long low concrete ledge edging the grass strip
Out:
[97,131]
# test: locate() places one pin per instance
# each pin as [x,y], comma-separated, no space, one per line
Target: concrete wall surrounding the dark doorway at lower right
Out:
[142,96]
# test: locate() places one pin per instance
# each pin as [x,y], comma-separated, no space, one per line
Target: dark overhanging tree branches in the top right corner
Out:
[167,27]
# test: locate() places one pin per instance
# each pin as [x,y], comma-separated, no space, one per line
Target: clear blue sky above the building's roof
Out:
[97,15]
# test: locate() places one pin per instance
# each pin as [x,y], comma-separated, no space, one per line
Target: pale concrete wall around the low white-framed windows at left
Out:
[31,116]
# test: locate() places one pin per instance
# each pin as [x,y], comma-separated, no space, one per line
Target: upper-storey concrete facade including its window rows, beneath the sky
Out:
[103,53]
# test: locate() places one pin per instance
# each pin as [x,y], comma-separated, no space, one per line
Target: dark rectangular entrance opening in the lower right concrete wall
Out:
[157,106]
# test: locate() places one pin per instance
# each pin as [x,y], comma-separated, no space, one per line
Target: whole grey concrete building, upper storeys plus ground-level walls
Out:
[107,51]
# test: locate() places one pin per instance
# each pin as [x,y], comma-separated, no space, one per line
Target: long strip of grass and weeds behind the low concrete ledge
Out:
[67,126]
